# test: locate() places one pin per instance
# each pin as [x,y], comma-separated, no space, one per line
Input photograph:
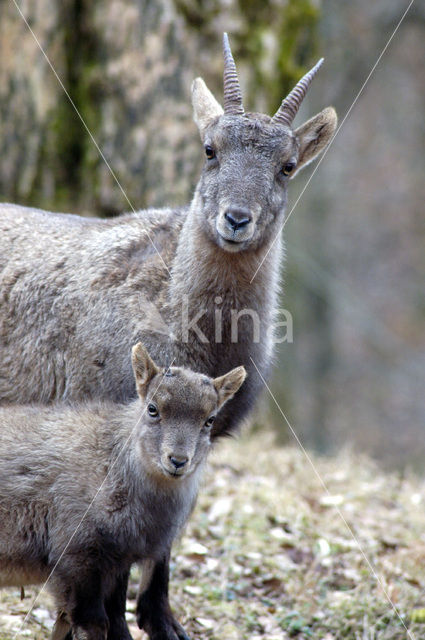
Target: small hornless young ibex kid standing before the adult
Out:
[87,491]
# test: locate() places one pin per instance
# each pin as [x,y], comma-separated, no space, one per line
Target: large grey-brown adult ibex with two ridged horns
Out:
[75,293]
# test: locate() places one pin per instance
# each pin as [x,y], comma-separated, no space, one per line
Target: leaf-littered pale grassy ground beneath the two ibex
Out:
[278,549]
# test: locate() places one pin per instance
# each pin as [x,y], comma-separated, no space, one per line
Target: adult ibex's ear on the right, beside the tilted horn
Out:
[315,135]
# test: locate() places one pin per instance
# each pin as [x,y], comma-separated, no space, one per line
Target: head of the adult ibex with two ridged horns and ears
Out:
[251,157]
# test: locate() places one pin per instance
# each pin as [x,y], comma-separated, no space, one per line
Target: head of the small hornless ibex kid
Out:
[175,429]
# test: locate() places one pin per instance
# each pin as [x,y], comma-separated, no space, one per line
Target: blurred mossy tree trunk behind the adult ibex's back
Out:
[127,67]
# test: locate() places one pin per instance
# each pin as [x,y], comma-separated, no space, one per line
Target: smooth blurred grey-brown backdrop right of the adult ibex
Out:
[355,259]
